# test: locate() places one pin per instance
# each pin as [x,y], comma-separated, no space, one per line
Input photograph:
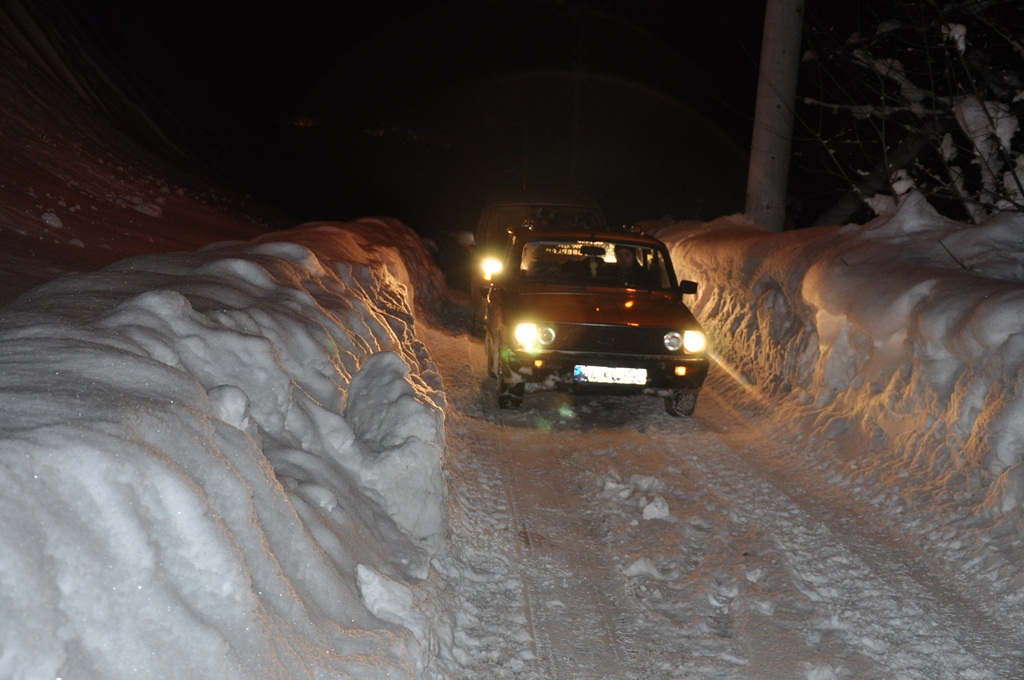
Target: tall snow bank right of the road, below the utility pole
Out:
[901,341]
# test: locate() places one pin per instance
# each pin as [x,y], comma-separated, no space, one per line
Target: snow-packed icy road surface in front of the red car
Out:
[600,538]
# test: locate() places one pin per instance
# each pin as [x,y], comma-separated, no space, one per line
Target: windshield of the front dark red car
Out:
[610,264]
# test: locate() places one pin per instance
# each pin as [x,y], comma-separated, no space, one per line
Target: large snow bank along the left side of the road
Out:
[225,464]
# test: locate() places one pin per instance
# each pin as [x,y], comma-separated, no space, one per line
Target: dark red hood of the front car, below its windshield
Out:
[618,308]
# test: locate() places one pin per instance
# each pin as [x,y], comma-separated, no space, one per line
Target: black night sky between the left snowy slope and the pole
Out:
[419,110]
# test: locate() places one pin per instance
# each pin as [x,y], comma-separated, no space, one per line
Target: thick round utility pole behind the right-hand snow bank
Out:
[771,147]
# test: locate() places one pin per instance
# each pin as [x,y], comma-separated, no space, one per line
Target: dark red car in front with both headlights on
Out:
[595,312]
